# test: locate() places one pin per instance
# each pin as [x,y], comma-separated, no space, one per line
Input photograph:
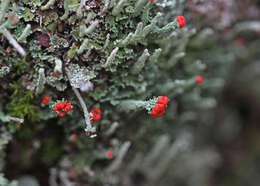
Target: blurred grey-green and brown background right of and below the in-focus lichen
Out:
[209,137]
